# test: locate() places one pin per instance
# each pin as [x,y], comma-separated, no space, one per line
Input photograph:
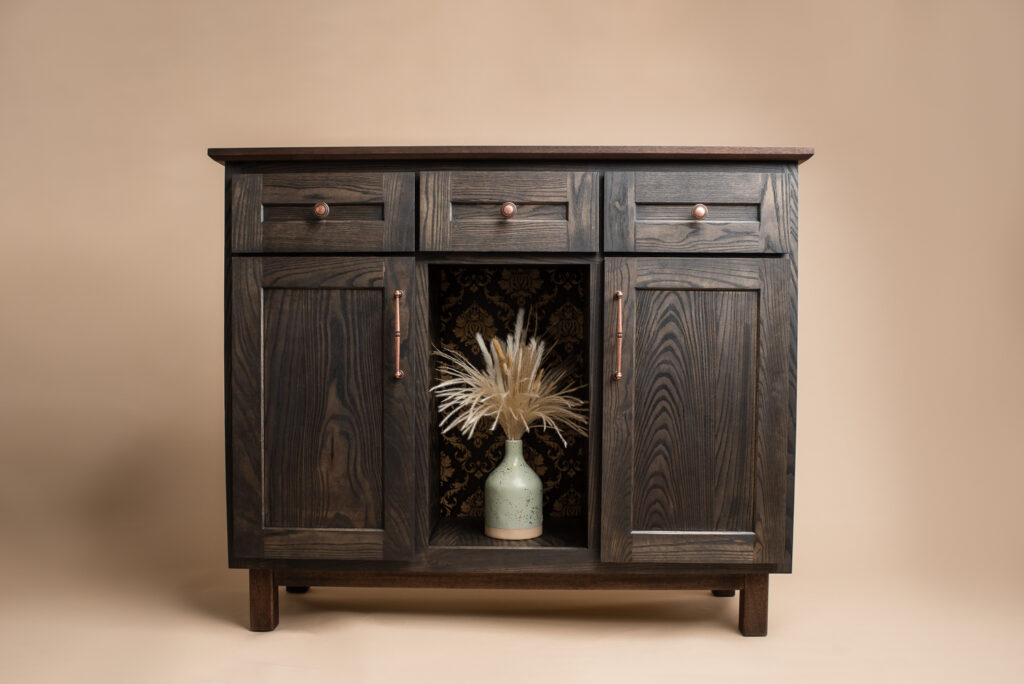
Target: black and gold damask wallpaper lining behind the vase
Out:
[486,300]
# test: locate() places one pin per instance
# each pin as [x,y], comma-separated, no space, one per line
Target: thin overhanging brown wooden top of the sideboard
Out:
[538,153]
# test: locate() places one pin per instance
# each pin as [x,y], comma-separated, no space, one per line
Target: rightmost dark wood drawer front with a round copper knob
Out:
[696,211]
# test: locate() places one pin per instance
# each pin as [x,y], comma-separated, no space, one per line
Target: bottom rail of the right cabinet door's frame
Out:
[694,548]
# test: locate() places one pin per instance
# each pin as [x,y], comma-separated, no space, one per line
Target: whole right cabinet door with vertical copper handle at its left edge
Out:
[699,430]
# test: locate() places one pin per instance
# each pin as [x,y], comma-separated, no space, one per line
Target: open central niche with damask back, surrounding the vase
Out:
[485,298]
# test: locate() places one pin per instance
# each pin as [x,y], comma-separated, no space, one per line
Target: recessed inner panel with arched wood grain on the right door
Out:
[695,383]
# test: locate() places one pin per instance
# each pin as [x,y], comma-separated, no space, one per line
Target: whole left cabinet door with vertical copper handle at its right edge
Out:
[322,429]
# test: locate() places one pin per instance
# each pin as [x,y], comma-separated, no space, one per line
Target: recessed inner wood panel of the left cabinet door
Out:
[323,361]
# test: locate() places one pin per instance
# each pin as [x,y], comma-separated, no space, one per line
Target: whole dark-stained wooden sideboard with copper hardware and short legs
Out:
[667,277]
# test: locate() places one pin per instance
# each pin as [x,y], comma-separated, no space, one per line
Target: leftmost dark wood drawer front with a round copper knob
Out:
[324,212]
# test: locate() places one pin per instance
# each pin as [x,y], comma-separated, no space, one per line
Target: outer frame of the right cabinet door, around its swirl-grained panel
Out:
[767,542]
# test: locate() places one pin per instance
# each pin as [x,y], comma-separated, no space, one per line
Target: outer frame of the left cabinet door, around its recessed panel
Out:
[251,537]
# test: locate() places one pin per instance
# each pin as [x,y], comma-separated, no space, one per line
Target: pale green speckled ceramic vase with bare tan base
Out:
[513,498]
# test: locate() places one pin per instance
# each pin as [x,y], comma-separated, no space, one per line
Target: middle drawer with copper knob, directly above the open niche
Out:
[509,211]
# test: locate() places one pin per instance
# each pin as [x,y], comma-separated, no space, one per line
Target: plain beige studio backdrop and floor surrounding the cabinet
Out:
[909,548]
